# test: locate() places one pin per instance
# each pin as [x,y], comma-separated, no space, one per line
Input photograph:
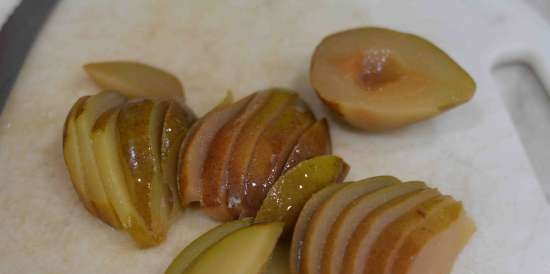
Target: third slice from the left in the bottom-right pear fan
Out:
[350,218]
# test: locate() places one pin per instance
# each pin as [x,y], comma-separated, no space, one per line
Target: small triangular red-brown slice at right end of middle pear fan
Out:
[314,142]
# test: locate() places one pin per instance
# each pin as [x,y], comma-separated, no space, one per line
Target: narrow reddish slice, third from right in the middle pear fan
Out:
[248,137]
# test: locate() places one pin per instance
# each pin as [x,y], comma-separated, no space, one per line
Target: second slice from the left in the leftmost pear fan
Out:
[92,108]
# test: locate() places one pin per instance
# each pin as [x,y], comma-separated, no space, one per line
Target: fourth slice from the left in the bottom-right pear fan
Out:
[372,224]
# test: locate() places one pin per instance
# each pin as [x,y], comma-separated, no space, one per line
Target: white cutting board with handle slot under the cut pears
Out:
[471,152]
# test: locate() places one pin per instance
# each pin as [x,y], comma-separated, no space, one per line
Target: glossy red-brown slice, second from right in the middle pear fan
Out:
[270,154]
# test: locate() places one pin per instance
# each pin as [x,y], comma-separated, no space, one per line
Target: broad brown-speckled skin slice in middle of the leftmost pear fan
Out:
[140,127]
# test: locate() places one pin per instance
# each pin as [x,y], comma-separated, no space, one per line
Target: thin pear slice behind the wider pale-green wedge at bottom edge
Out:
[202,243]
